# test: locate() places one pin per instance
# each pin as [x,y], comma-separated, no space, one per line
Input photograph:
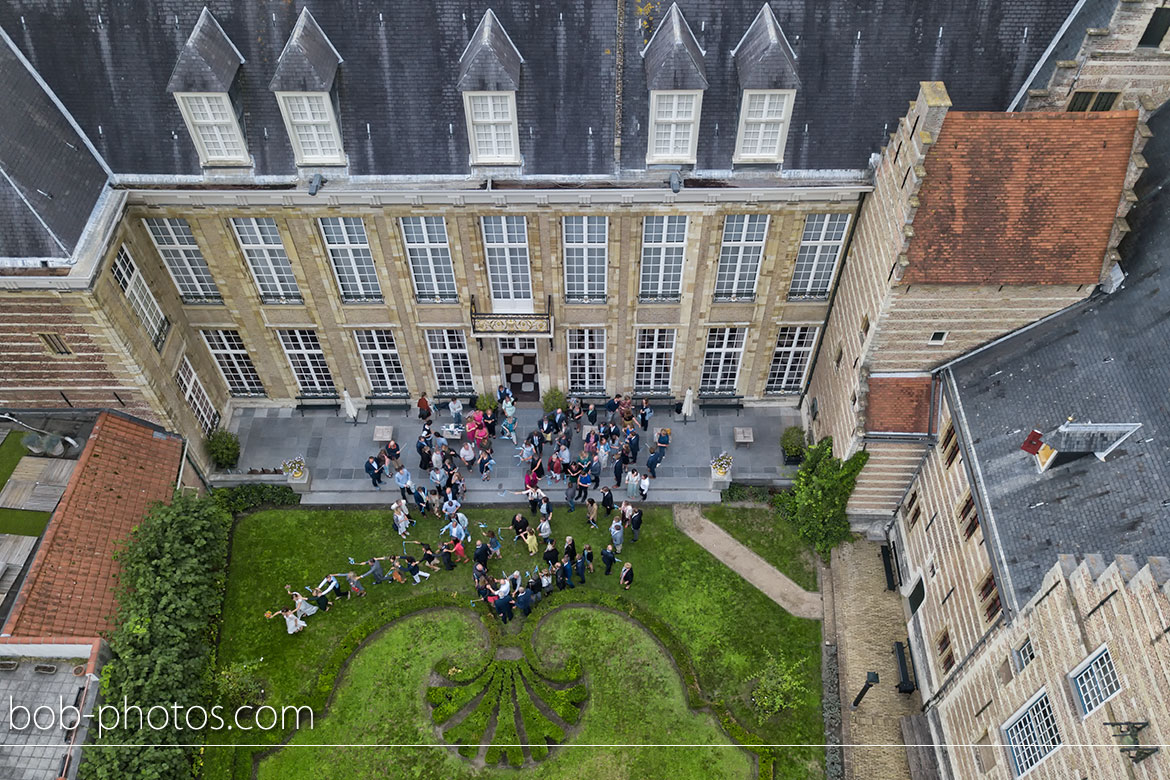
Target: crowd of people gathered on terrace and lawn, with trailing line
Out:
[615,444]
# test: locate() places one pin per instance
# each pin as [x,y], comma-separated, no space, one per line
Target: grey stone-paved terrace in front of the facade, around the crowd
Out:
[336,450]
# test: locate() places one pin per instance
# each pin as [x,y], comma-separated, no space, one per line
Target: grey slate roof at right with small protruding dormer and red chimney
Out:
[1100,362]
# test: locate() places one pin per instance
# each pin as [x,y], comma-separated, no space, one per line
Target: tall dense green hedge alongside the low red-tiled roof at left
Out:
[174,570]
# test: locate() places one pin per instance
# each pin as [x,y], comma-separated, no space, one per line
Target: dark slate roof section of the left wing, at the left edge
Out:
[50,182]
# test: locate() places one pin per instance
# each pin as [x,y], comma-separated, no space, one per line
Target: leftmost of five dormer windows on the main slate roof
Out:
[203,84]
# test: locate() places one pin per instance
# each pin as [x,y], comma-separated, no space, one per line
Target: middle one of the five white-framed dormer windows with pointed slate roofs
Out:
[490,78]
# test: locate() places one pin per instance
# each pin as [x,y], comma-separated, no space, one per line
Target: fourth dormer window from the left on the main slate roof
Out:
[677,78]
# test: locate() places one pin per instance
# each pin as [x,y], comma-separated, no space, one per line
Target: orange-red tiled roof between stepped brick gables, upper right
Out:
[1021,198]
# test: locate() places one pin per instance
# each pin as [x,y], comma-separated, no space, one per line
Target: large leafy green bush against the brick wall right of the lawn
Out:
[820,494]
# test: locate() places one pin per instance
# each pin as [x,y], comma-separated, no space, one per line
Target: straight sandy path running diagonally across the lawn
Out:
[751,567]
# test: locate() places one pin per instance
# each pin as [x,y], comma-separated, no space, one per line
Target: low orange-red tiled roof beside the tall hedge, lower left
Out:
[70,592]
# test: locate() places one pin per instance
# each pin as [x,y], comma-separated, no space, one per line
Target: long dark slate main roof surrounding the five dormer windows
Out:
[859,66]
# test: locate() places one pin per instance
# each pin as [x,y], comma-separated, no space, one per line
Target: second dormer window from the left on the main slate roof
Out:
[304,86]
